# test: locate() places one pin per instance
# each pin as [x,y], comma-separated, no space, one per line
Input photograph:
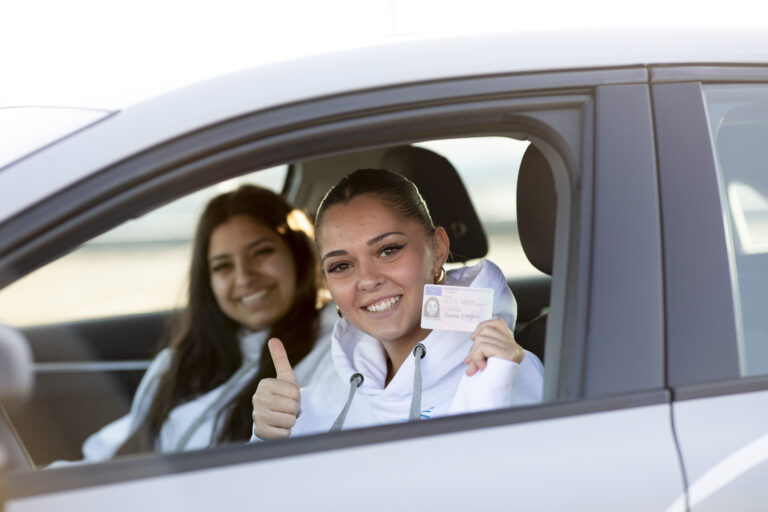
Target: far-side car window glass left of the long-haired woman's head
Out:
[139,266]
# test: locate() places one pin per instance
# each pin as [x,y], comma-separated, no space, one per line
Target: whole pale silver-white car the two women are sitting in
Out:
[643,192]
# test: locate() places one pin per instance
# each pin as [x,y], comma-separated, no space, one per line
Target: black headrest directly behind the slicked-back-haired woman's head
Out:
[445,195]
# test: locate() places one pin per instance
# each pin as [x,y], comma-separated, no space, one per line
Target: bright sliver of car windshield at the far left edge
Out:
[26,129]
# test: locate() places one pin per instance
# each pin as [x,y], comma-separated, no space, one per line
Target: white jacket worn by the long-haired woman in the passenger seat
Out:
[191,425]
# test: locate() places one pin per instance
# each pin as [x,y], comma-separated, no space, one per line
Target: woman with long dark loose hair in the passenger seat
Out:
[254,275]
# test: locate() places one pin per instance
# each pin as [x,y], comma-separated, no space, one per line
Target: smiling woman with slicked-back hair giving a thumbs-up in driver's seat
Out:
[379,247]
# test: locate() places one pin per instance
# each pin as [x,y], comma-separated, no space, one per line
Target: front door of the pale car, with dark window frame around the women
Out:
[601,440]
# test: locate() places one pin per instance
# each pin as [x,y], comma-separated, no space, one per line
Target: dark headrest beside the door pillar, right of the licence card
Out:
[536,209]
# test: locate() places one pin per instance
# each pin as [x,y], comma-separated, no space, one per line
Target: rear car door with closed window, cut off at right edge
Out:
[712,126]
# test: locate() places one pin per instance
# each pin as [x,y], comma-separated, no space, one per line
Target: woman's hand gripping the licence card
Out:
[492,338]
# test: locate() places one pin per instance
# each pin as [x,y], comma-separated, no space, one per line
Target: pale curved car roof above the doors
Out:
[414,60]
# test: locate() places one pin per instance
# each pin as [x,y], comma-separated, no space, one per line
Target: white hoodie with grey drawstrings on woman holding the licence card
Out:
[445,389]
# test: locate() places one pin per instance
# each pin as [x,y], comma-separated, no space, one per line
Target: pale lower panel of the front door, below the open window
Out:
[541,464]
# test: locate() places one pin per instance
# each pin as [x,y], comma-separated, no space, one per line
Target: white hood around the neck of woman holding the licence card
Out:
[355,352]
